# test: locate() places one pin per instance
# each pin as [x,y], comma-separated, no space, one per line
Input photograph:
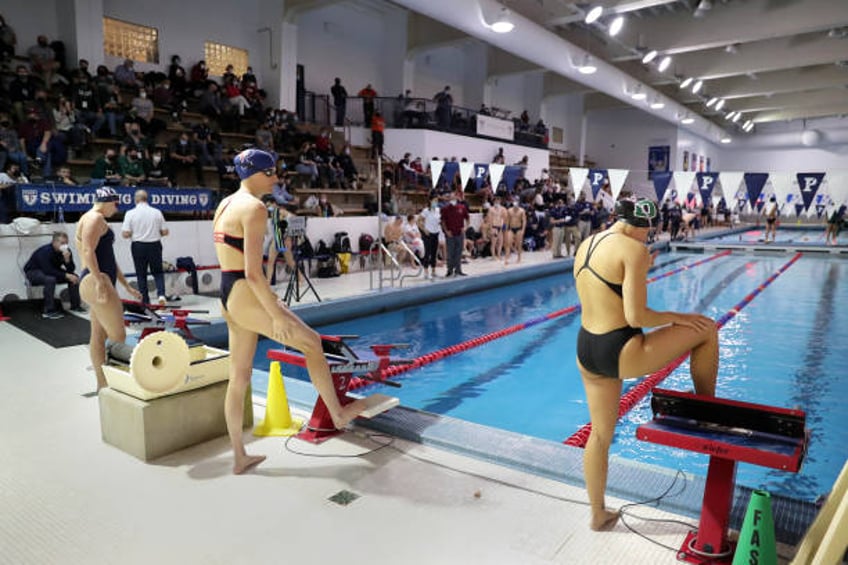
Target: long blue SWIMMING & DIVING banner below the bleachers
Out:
[51,197]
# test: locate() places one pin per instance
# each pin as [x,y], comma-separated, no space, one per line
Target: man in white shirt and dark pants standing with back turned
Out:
[146,227]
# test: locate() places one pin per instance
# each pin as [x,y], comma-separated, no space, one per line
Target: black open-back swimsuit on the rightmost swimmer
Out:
[599,353]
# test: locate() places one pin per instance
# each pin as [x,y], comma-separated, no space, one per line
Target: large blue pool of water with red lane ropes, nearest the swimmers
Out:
[783,349]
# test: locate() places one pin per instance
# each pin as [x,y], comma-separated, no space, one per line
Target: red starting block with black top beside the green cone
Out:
[728,431]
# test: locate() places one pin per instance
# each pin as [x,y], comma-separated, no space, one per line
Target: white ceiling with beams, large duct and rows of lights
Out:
[771,60]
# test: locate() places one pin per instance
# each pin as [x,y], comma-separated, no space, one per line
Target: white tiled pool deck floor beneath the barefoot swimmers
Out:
[67,497]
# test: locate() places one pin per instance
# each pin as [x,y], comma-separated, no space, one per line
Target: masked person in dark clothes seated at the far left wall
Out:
[52,264]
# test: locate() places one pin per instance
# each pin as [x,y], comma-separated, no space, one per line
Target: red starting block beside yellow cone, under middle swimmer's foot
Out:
[345,364]
